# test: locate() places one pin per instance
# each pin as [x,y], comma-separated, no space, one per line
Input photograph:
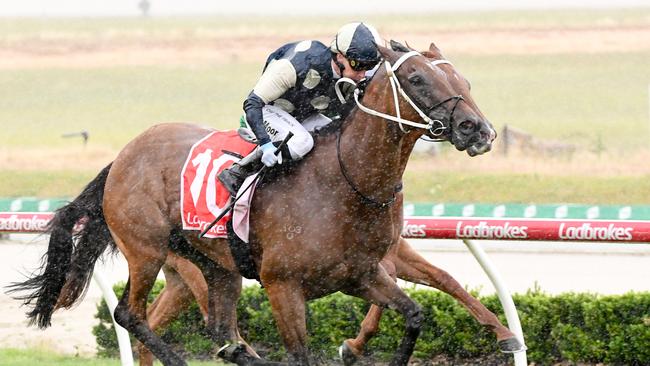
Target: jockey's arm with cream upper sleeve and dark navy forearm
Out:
[279,76]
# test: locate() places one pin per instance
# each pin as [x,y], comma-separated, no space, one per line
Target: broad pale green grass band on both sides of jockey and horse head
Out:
[576,98]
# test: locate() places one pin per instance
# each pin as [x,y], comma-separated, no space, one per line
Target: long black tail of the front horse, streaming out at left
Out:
[68,264]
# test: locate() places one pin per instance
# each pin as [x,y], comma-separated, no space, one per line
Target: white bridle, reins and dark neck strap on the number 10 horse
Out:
[430,123]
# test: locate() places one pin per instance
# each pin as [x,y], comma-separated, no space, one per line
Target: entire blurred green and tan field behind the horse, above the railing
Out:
[577,78]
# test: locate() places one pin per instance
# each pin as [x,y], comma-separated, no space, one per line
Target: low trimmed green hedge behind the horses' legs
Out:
[574,327]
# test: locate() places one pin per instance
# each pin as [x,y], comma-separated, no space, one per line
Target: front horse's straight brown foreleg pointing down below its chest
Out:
[288,306]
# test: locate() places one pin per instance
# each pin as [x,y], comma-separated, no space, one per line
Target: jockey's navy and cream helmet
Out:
[358,43]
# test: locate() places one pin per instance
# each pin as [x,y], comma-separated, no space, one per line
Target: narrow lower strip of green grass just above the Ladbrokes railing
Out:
[418,187]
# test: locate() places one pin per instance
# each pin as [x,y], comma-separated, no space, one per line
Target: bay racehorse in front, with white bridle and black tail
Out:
[340,196]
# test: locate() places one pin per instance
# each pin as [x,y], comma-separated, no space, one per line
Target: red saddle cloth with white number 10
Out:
[203,197]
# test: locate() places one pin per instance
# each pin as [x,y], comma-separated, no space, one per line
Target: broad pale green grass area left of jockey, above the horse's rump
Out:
[116,104]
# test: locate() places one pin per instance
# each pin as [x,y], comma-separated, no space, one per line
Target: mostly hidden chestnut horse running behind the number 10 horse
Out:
[185,283]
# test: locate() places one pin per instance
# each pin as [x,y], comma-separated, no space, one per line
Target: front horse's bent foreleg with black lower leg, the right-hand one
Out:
[383,291]
